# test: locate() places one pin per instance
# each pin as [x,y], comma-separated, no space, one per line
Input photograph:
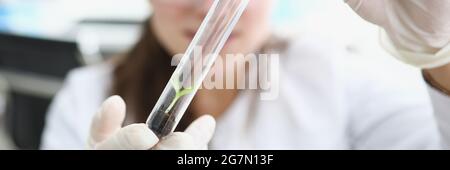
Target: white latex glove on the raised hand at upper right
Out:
[416,31]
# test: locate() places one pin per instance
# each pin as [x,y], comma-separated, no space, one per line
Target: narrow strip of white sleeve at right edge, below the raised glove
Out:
[441,106]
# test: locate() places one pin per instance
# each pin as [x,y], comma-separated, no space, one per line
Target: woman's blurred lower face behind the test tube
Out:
[175,23]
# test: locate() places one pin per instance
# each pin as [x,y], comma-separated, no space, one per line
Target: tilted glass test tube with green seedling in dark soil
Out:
[184,83]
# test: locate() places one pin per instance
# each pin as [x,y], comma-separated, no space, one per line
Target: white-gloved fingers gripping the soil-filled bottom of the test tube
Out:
[107,132]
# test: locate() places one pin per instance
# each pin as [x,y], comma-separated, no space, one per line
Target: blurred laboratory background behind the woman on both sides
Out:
[41,40]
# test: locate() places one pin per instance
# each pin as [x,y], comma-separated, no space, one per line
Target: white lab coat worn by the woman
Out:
[330,98]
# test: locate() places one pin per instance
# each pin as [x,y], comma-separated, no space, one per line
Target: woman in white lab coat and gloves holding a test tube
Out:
[328,98]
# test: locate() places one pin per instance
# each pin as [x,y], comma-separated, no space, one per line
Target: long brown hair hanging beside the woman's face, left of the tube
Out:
[141,75]
